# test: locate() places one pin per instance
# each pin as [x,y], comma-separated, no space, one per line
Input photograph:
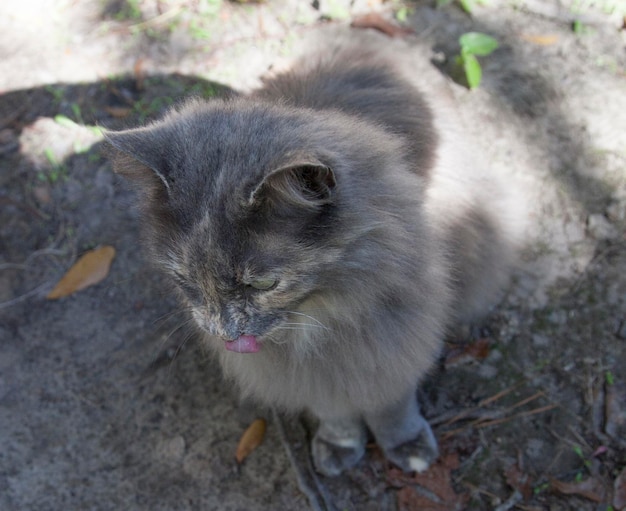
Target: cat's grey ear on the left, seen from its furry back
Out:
[140,157]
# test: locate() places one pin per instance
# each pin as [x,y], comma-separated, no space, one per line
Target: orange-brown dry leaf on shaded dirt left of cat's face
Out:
[90,269]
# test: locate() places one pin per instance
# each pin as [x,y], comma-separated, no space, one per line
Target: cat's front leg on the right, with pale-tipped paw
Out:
[404,435]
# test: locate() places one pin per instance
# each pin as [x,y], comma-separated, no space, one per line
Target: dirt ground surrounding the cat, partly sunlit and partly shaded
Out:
[106,402]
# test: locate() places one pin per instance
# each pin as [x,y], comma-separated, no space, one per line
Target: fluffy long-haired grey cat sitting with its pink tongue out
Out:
[326,231]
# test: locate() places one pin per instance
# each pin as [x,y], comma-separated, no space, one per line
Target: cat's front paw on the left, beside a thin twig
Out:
[338,444]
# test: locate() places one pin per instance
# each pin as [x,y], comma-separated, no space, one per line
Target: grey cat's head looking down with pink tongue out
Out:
[252,208]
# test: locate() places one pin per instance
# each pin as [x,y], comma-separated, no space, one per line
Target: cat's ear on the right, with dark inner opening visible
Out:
[302,181]
